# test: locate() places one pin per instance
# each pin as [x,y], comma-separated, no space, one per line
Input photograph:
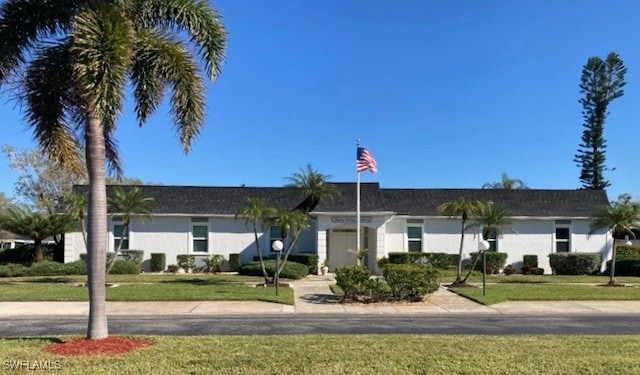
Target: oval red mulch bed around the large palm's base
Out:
[109,346]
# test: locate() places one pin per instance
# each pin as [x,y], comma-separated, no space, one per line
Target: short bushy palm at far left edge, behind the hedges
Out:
[34,225]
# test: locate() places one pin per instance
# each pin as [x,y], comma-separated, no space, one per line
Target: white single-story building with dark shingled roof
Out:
[202,221]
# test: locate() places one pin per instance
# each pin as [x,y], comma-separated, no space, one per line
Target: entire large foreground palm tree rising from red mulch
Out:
[72,62]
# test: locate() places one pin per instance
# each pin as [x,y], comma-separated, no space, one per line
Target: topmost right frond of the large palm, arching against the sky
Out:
[195,17]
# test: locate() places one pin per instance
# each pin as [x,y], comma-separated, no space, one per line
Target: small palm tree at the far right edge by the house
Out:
[620,218]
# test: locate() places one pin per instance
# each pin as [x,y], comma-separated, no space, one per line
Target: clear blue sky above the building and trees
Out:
[444,94]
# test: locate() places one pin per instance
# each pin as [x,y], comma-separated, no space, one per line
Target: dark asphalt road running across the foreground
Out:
[331,324]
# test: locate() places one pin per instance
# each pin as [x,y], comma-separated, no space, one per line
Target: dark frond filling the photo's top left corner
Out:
[23,22]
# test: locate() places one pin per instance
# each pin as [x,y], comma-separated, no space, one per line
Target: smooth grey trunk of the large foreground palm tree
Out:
[97,229]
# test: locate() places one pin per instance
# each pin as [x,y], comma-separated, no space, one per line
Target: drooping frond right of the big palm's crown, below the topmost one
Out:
[167,58]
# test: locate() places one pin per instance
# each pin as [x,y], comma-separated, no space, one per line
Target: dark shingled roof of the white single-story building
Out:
[204,200]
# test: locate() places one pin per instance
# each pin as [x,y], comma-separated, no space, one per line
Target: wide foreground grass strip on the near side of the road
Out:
[351,354]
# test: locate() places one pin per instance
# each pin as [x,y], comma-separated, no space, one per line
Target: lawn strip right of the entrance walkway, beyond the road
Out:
[502,292]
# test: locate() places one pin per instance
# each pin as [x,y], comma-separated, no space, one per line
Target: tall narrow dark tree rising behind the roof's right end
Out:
[601,83]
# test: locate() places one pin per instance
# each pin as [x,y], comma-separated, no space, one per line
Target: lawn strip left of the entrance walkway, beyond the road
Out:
[145,288]
